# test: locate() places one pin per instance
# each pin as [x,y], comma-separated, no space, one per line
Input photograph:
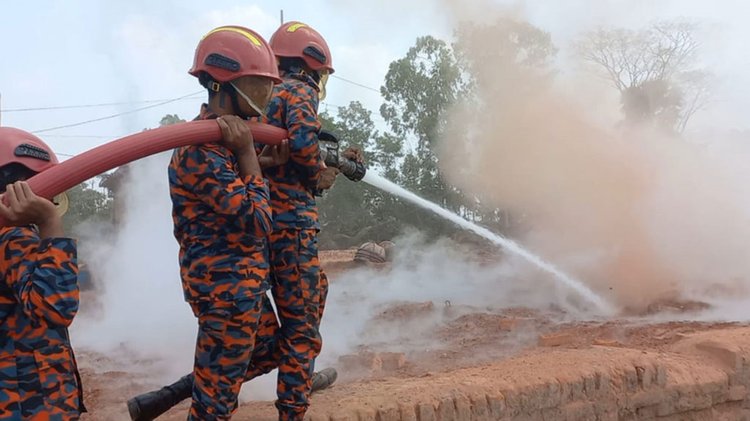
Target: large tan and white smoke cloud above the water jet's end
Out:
[640,214]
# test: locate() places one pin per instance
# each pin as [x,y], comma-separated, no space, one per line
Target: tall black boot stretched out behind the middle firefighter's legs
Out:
[148,406]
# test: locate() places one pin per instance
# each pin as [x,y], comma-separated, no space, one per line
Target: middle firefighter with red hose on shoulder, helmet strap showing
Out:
[222,217]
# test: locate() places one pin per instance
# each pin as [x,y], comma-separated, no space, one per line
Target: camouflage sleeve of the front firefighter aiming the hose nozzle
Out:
[303,126]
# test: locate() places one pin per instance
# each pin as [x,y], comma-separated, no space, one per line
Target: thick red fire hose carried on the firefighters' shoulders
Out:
[80,168]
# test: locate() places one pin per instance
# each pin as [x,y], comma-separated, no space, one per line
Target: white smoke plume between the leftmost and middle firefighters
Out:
[139,312]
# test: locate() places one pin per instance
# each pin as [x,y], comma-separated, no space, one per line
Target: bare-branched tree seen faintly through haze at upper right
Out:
[653,69]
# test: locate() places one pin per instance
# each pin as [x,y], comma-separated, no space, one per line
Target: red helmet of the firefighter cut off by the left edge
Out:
[20,147]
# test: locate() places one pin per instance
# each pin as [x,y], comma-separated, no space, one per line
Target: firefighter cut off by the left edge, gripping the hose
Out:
[39,293]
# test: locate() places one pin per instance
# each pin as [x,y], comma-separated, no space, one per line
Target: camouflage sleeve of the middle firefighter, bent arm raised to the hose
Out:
[210,174]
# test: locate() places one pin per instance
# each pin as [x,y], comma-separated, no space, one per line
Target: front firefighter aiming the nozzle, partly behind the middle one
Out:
[299,287]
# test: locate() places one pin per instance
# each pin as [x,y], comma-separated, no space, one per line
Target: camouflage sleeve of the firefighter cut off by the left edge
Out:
[43,275]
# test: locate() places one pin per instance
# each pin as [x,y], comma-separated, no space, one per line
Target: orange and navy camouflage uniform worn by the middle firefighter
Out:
[221,221]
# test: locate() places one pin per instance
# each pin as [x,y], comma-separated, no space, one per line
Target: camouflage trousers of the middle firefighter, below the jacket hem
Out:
[226,340]
